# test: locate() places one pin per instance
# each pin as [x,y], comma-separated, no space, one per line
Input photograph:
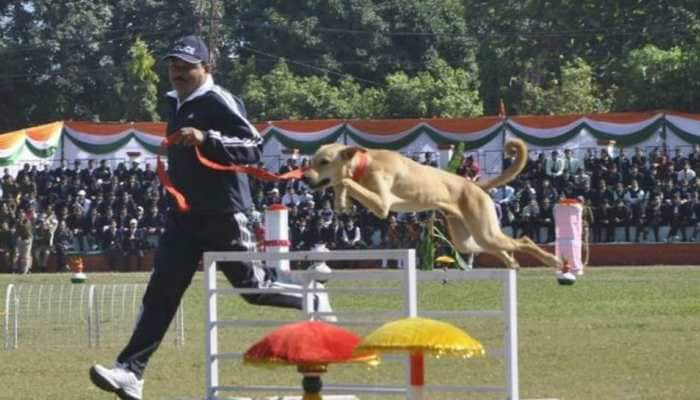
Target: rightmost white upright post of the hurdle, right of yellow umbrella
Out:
[510,309]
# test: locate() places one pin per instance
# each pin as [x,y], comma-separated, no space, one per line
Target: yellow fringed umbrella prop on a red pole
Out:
[419,336]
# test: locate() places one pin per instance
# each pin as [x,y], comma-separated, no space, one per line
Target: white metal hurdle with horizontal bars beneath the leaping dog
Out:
[407,276]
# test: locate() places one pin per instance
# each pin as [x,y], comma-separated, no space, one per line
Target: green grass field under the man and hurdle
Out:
[619,333]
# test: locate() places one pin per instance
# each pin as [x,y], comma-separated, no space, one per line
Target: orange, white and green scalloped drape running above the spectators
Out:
[83,139]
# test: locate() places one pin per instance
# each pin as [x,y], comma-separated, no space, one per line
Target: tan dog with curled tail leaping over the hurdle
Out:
[384,181]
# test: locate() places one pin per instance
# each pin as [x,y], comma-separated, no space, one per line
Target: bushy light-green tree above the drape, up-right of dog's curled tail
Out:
[575,92]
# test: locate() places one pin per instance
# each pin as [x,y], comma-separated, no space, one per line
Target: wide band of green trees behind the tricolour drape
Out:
[98,60]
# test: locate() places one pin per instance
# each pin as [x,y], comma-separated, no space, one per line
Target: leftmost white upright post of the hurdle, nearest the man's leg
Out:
[211,329]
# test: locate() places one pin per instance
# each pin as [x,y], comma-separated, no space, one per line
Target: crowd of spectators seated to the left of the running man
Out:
[86,208]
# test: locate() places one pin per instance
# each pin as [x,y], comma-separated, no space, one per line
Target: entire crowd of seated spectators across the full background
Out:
[119,212]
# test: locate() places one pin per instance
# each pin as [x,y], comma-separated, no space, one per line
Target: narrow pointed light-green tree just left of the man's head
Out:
[139,91]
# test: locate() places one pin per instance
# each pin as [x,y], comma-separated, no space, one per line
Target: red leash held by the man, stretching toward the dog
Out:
[256,172]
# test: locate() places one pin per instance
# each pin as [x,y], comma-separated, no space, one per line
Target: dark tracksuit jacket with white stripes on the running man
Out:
[230,138]
